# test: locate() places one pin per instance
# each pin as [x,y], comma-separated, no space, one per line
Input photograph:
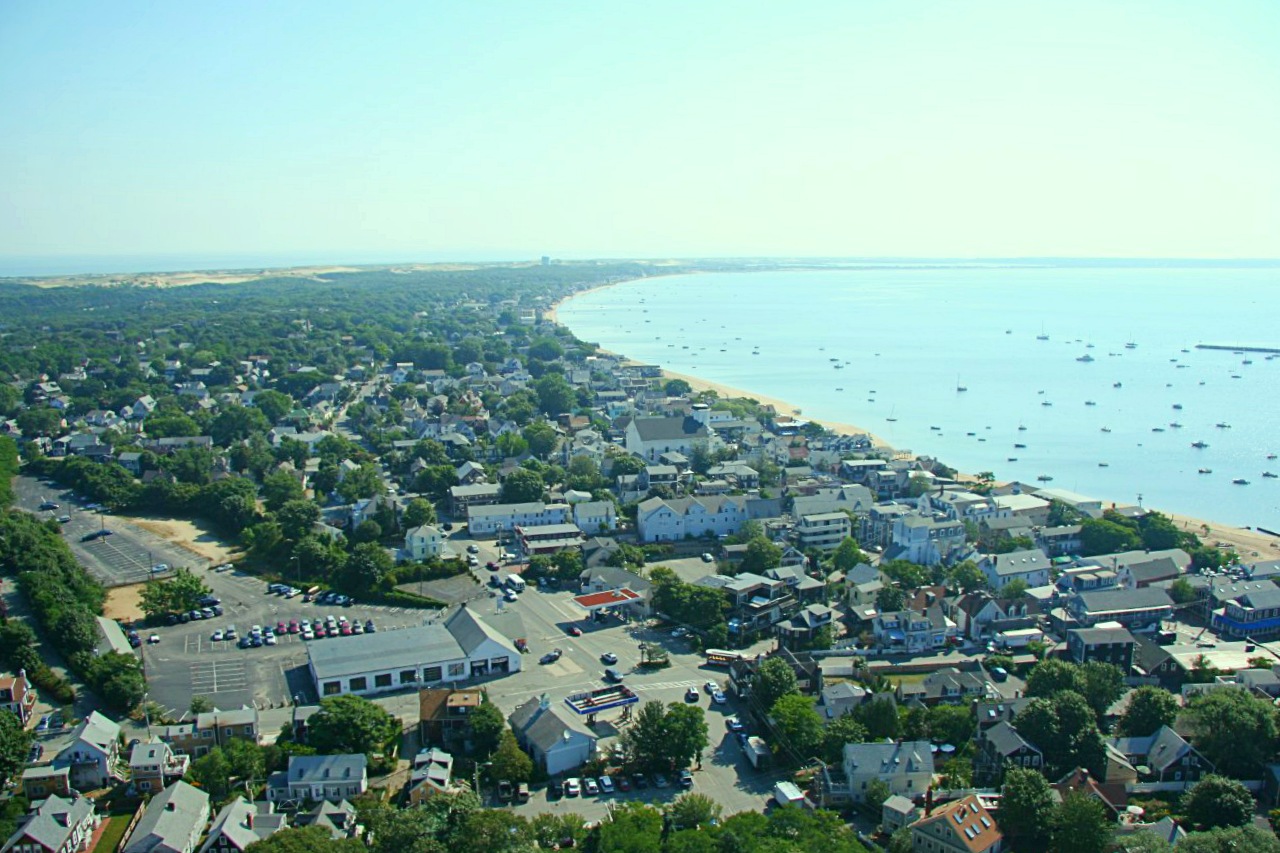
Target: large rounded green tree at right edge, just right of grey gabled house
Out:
[1236,731]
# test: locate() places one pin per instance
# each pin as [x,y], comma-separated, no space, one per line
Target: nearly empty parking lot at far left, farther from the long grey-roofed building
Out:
[124,558]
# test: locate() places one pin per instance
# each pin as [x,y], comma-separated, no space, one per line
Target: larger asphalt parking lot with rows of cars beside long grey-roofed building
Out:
[188,663]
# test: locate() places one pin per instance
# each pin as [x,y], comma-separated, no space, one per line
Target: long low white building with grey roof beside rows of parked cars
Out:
[463,647]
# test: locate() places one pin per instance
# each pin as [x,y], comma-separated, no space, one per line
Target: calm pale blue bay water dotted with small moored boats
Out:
[889,350]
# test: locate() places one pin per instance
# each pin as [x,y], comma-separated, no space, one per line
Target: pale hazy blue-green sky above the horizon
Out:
[473,131]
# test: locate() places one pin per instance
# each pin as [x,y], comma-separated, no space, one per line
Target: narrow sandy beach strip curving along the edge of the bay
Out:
[1247,541]
